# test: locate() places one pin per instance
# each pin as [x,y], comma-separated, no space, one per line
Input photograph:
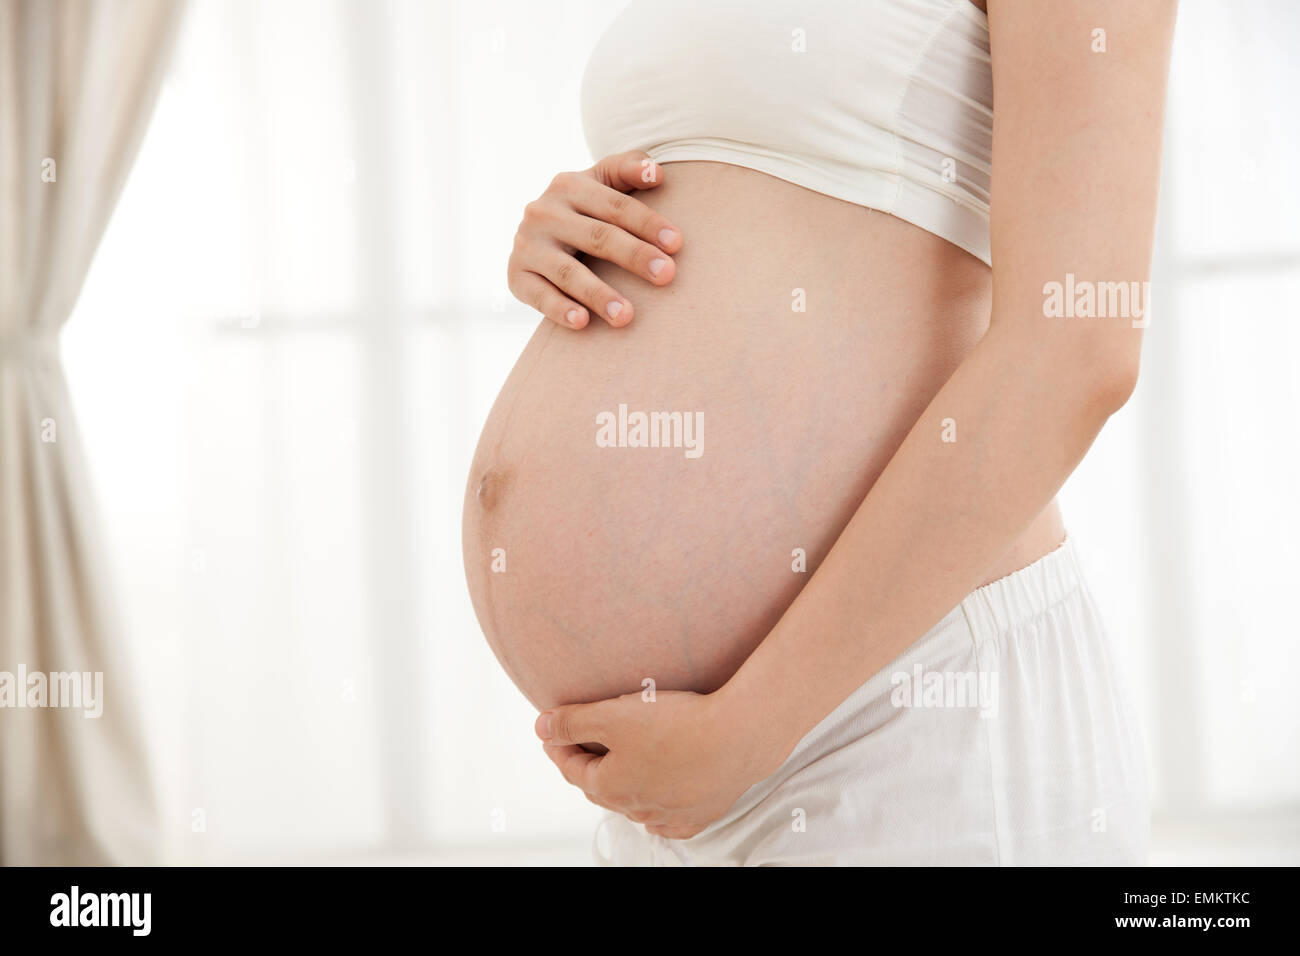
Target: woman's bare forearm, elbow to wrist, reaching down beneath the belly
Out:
[930,530]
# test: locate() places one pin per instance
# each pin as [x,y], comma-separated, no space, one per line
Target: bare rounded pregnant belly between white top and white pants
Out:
[597,560]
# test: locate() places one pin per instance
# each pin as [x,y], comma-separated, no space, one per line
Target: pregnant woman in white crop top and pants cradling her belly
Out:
[764,520]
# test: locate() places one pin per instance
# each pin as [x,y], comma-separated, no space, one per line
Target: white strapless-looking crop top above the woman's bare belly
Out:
[883,103]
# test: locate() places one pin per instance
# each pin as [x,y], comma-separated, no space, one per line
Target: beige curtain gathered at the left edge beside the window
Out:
[79,81]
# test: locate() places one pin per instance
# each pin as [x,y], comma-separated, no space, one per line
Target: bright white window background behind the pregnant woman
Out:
[297,325]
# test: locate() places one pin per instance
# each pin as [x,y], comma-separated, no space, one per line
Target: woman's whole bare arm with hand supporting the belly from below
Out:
[1077,145]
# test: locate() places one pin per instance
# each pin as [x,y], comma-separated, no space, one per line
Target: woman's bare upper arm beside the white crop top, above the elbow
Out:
[1077,136]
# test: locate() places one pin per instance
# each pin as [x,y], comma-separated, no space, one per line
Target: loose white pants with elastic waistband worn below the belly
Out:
[1004,737]
